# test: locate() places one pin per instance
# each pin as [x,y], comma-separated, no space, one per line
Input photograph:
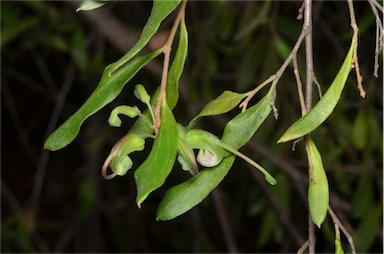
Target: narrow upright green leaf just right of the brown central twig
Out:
[177,67]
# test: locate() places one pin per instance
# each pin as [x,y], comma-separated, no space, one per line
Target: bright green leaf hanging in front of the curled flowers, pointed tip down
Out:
[155,169]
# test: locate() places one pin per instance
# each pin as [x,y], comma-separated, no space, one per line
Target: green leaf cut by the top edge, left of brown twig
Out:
[160,10]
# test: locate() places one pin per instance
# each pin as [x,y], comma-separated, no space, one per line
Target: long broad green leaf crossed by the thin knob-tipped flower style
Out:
[183,197]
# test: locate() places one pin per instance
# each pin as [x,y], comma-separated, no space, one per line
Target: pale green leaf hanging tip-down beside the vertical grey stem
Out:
[318,193]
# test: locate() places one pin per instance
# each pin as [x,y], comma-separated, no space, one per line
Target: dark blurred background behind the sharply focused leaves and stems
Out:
[52,59]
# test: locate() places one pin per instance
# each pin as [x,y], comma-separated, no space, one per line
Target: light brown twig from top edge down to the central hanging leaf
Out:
[167,55]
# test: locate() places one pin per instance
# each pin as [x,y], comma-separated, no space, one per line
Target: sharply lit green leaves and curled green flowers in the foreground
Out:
[174,143]
